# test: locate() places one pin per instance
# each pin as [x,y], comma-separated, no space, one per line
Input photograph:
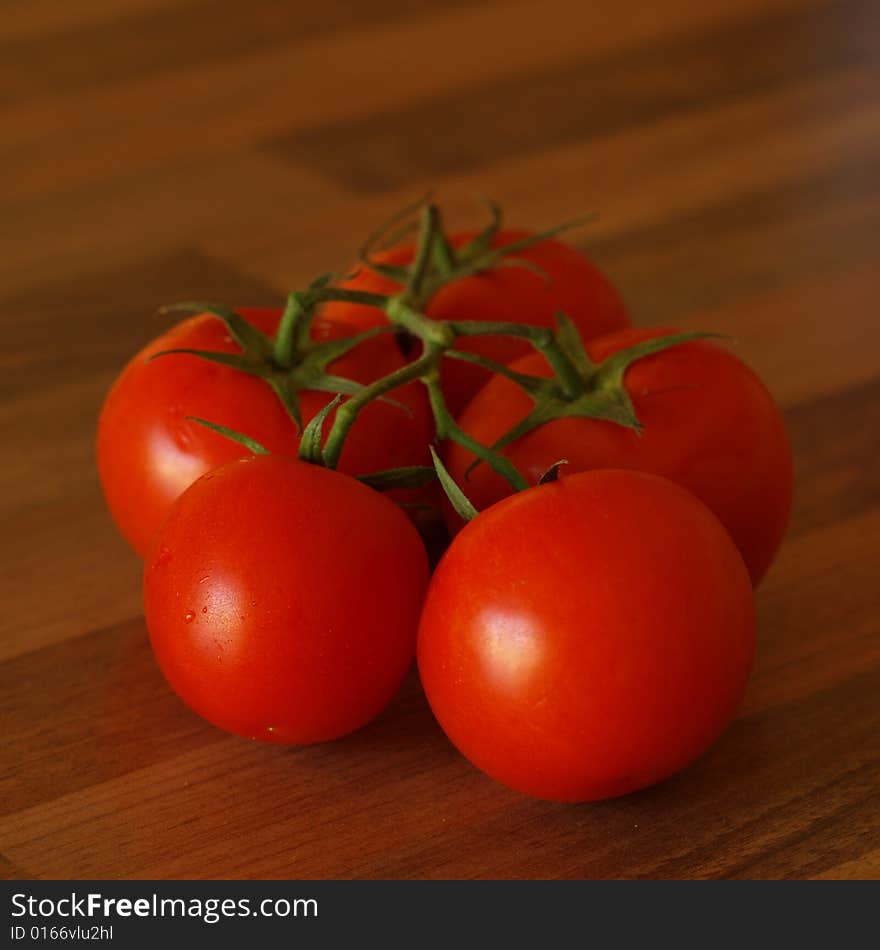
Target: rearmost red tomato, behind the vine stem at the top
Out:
[512,294]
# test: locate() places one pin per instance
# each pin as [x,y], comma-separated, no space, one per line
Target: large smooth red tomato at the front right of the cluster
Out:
[589,637]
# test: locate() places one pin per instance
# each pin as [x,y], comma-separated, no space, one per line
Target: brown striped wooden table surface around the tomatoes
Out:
[157,150]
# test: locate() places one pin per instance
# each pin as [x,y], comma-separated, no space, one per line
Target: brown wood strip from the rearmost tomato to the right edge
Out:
[735,248]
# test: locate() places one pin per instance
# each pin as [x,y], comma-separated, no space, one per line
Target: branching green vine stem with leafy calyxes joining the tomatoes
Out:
[292,360]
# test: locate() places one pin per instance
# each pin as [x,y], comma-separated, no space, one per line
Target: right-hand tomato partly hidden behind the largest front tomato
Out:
[710,425]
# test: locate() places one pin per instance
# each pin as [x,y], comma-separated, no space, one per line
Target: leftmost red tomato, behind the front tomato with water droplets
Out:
[149,452]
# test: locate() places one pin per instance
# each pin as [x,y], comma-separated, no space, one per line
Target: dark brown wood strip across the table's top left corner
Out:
[178,37]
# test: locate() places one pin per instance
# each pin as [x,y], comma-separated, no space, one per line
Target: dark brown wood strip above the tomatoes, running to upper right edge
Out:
[587,100]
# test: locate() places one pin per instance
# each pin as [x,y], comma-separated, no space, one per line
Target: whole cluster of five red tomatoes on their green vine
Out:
[589,632]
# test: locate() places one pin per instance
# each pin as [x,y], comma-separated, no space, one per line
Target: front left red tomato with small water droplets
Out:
[283,599]
